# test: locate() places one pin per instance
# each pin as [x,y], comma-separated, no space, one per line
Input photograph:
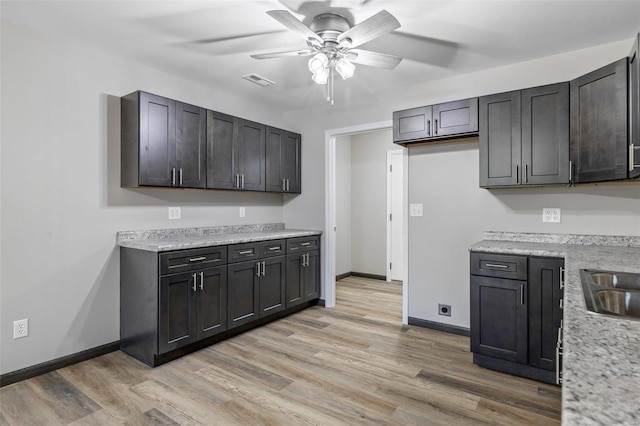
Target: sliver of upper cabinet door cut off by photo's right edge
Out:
[634,110]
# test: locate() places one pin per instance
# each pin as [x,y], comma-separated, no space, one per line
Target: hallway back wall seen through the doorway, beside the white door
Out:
[369,201]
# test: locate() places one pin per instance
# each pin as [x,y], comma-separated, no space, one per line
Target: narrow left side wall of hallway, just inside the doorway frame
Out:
[343,205]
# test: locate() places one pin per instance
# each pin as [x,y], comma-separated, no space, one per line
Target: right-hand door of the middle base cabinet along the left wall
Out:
[272,287]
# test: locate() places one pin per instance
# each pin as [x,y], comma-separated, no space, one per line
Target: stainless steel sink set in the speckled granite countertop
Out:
[612,293]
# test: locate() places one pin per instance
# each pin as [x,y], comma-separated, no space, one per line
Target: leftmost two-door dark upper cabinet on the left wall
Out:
[163,142]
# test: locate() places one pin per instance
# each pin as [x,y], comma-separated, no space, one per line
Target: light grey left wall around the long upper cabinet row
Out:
[61,201]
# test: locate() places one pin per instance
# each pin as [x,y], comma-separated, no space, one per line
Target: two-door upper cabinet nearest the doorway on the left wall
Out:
[282,161]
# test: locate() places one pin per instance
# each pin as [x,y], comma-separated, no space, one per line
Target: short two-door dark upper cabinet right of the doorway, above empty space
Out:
[441,121]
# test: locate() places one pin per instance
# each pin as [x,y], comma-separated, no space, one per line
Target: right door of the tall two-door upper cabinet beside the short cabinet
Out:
[545,134]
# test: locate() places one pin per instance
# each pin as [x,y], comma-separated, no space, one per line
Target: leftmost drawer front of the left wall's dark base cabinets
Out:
[187,260]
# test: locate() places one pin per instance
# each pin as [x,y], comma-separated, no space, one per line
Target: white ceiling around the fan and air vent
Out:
[210,41]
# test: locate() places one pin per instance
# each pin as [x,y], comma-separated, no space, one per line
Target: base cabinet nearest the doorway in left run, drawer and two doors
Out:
[303,270]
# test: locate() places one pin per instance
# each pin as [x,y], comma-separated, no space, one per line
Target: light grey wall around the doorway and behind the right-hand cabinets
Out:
[445,178]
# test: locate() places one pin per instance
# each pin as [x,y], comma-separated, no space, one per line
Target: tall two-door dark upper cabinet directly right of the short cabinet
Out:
[524,137]
